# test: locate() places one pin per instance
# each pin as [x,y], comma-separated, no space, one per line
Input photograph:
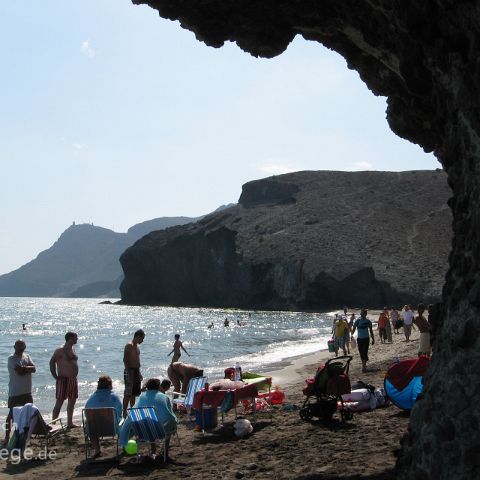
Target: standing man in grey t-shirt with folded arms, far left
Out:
[20,370]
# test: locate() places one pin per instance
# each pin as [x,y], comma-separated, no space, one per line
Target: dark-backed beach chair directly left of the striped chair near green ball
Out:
[101,423]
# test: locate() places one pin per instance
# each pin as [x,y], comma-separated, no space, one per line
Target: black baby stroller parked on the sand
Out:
[330,383]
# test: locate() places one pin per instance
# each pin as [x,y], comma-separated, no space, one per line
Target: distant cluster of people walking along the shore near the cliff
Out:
[343,329]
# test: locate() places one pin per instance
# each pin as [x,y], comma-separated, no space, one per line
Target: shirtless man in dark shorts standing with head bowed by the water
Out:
[131,374]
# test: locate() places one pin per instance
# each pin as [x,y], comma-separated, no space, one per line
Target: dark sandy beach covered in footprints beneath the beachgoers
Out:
[285,447]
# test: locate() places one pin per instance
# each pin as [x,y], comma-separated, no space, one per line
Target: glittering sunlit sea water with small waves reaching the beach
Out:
[262,340]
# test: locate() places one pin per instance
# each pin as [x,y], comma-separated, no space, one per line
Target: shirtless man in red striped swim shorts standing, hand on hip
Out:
[64,369]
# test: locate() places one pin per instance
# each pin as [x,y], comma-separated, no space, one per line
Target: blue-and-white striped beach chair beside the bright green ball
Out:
[147,427]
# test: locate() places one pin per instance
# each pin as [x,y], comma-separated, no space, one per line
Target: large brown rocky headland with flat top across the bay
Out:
[305,240]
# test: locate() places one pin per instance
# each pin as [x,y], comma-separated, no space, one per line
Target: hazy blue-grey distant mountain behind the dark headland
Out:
[83,262]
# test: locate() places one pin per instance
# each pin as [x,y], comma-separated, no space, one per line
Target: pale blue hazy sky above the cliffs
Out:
[112,115]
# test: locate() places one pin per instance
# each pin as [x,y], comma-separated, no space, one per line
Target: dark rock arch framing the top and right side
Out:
[423,56]
